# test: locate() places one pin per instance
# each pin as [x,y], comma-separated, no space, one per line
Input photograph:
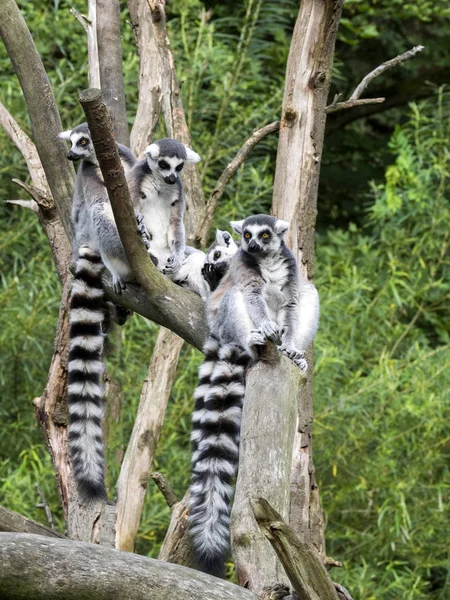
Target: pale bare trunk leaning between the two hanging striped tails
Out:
[136,465]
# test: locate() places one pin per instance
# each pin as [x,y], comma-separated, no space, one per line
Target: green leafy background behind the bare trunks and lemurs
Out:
[381,375]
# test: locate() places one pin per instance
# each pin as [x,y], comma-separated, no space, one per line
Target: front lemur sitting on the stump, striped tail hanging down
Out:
[259,298]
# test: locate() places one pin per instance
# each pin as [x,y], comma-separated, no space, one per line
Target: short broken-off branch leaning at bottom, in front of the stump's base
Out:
[301,562]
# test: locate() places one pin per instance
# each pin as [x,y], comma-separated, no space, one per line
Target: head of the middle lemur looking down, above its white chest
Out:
[166,158]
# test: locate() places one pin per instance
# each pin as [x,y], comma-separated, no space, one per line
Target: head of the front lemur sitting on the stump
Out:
[261,233]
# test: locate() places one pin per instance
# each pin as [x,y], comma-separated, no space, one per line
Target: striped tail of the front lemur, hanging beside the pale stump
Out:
[215,445]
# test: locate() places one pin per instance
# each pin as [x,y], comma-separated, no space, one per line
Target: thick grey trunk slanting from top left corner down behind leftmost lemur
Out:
[41,105]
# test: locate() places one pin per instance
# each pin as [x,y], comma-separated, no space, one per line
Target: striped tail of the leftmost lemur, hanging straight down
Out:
[86,367]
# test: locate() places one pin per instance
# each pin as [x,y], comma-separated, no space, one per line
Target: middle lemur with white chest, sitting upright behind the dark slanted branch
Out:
[157,193]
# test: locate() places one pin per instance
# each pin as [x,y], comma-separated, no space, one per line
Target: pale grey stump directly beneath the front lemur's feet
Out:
[267,434]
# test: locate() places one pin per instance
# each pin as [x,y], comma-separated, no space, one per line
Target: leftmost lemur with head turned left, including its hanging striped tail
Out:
[96,244]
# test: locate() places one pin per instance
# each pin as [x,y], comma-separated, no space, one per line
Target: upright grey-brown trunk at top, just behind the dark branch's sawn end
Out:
[110,61]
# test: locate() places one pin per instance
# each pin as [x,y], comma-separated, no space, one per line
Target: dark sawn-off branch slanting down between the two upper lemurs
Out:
[175,308]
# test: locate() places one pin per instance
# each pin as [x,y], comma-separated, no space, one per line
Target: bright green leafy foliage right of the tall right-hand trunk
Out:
[382,374]
